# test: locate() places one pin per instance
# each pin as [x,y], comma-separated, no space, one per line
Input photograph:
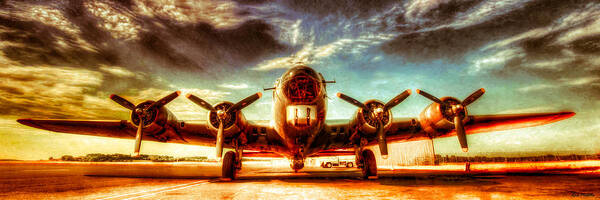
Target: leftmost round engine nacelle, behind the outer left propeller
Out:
[160,122]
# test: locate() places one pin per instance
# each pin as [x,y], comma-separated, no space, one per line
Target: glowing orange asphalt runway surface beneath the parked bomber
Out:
[260,180]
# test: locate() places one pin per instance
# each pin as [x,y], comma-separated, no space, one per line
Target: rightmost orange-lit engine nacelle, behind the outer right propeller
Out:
[437,119]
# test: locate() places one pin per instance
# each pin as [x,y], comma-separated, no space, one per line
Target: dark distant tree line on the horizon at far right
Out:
[452,159]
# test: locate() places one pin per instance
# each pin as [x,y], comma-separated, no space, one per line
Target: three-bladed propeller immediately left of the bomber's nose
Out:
[222,114]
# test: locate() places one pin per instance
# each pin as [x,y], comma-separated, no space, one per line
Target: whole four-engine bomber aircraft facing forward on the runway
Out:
[298,128]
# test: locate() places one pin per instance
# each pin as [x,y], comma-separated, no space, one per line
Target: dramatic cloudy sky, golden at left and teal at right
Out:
[63,59]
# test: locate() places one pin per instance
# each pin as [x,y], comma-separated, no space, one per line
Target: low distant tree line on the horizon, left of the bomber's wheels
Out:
[97,157]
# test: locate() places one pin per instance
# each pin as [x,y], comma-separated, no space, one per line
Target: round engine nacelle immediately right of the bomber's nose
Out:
[365,121]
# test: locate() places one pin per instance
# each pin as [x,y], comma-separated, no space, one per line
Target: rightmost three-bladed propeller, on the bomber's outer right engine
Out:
[455,109]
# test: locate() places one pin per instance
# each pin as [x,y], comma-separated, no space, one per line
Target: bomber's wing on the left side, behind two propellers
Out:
[192,132]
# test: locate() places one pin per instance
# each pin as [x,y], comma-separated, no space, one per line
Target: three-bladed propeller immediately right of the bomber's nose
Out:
[376,113]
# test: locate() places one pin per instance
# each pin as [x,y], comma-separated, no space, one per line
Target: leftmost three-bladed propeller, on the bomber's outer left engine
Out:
[143,113]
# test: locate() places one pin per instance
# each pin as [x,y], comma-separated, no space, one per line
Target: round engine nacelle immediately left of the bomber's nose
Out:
[232,124]
